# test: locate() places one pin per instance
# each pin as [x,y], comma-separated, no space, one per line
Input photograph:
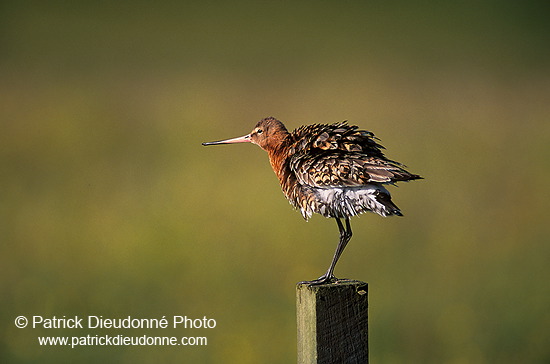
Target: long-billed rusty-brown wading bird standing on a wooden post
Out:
[336,170]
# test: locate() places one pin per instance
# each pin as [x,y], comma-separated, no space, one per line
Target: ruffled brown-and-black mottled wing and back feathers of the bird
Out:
[339,155]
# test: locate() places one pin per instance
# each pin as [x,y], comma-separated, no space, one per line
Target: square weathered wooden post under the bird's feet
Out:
[333,322]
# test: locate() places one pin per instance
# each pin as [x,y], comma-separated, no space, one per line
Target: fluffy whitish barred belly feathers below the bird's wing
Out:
[342,202]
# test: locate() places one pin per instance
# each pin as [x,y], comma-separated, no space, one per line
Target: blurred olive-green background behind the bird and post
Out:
[110,206]
